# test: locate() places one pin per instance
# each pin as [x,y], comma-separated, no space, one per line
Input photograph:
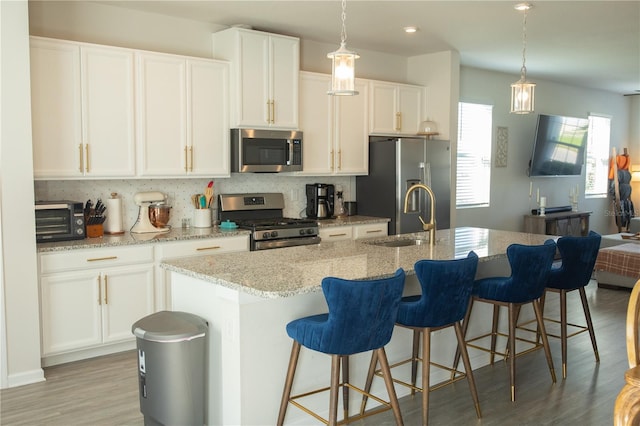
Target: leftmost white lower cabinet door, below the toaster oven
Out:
[71,311]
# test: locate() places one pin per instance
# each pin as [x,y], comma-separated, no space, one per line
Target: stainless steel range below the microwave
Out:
[262,214]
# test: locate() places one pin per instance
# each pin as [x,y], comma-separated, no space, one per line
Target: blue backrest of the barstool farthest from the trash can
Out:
[579,255]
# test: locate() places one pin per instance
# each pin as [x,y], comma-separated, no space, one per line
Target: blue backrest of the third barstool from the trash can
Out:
[530,268]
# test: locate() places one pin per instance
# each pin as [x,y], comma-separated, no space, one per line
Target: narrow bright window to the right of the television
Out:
[597,164]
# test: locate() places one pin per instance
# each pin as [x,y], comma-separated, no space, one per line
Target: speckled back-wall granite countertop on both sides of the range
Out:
[180,234]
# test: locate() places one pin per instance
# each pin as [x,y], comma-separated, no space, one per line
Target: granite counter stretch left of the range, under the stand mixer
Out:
[176,234]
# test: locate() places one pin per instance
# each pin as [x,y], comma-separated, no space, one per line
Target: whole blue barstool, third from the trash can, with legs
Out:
[530,269]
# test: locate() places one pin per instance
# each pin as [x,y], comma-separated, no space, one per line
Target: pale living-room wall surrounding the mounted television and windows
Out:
[510,185]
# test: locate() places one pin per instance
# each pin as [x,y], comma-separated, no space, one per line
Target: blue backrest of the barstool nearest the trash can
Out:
[362,314]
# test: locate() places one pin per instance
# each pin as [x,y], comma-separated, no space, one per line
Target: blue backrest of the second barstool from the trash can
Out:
[446,290]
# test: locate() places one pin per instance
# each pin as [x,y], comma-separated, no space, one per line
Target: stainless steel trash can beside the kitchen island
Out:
[172,368]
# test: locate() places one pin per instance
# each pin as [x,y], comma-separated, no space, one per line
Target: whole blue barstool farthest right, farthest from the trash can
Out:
[579,256]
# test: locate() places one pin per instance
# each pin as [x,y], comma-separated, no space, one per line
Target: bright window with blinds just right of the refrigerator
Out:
[474,155]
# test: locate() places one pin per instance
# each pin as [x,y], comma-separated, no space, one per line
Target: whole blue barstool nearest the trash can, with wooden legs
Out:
[361,318]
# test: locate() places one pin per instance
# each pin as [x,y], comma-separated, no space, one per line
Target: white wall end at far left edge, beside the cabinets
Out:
[20,344]
